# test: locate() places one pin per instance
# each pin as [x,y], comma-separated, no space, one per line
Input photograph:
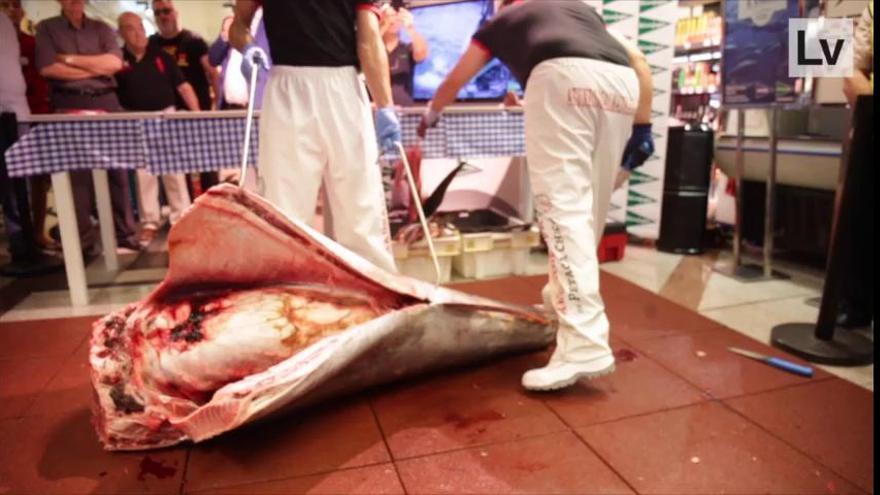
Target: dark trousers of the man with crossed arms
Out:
[81,181]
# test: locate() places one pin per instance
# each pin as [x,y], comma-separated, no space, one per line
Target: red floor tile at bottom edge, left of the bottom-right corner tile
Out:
[705,449]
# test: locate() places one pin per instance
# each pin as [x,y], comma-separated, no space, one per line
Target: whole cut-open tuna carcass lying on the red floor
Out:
[260,313]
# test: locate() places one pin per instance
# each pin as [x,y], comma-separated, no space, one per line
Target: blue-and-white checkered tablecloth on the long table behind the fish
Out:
[164,145]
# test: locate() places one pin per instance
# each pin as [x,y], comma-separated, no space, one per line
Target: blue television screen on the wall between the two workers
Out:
[448,29]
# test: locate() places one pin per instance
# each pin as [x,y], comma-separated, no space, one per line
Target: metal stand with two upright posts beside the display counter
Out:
[751,272]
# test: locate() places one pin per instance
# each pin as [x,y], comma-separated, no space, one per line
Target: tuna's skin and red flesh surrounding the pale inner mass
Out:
[420,327]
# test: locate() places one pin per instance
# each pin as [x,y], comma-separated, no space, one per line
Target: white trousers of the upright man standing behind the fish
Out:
[316,125]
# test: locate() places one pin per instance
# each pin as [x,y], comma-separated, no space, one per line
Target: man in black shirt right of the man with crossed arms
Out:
[151,81]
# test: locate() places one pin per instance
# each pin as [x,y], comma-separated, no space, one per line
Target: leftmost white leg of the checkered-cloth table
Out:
[70,245]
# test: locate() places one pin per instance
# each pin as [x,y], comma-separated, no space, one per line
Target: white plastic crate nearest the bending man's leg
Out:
[486,255]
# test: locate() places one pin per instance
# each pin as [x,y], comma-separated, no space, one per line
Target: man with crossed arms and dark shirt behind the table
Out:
[78,57]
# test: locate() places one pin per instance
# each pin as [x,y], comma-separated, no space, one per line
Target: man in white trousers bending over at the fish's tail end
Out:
[581,100]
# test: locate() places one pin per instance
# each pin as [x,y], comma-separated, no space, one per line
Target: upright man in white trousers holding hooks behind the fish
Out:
[316,122]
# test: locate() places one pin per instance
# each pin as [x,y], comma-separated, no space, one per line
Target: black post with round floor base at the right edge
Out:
[823,342]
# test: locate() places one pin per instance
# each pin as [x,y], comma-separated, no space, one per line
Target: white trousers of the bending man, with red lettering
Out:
[578,118]
